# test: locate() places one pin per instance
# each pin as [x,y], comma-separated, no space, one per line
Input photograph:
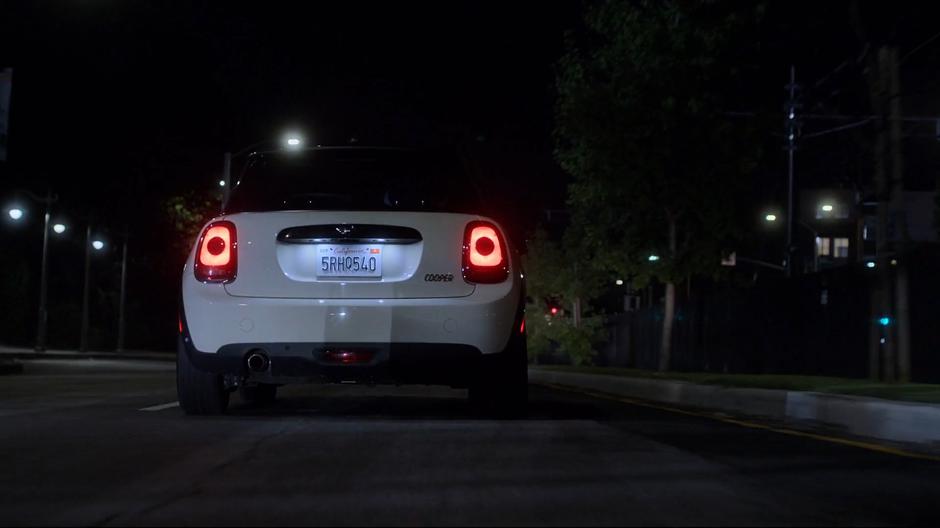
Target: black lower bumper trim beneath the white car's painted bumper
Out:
[406,363]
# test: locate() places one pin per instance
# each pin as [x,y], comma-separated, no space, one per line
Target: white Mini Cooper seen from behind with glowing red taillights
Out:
[351,265]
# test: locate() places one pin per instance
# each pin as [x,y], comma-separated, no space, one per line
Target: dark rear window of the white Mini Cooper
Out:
[356,179]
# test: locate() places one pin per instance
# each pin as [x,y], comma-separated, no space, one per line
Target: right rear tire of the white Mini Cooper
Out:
[502,386]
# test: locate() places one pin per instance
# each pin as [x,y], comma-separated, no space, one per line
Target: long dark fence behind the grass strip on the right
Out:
[819,324]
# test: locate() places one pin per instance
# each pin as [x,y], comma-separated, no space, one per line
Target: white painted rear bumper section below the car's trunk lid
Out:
[483,321]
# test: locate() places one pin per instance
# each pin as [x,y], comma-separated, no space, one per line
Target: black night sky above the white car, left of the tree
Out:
[164,89]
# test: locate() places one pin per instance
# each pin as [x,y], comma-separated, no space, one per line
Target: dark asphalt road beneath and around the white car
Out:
[76,448]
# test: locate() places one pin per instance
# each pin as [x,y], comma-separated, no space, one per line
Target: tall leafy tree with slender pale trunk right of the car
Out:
[640,126]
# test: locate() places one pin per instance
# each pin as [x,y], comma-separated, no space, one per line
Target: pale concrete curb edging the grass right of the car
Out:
[904,422]
